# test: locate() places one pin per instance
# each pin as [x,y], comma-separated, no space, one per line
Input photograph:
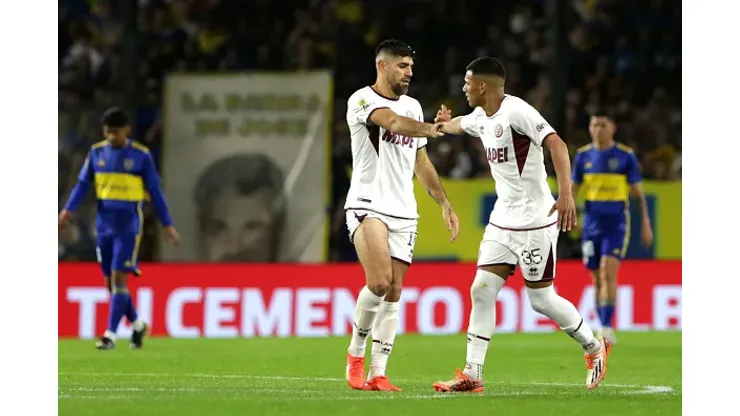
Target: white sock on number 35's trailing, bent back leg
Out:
[547,302]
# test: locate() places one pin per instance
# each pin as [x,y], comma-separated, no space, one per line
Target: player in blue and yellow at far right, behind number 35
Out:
[607,172]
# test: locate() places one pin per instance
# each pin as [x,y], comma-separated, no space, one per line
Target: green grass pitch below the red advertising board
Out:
[525,374]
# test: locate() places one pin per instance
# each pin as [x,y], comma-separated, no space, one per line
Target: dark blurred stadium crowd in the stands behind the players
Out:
[622,56]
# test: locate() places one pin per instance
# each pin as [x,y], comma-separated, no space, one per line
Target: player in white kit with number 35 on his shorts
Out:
[525,222]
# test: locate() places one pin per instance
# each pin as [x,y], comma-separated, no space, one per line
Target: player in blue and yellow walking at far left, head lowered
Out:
[124,176]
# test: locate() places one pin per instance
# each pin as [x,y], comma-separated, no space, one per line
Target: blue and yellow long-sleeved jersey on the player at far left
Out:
[123,178]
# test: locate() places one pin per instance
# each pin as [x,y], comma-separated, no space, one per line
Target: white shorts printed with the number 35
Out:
[533,250]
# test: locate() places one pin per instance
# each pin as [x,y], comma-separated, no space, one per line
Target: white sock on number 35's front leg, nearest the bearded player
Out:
[483,293]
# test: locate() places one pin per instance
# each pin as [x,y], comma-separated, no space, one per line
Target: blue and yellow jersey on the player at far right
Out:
[605,176]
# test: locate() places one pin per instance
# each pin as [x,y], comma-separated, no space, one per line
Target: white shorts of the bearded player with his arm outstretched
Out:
[402,232]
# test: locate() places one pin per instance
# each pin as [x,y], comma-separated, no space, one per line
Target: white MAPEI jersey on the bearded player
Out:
[382,162]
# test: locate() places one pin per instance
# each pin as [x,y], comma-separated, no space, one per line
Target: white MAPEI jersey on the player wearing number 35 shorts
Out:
[512,138]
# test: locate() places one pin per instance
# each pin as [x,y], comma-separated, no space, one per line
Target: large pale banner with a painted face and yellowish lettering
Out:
[245,166]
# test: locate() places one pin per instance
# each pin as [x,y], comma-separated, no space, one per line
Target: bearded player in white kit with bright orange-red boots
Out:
[388,148]
